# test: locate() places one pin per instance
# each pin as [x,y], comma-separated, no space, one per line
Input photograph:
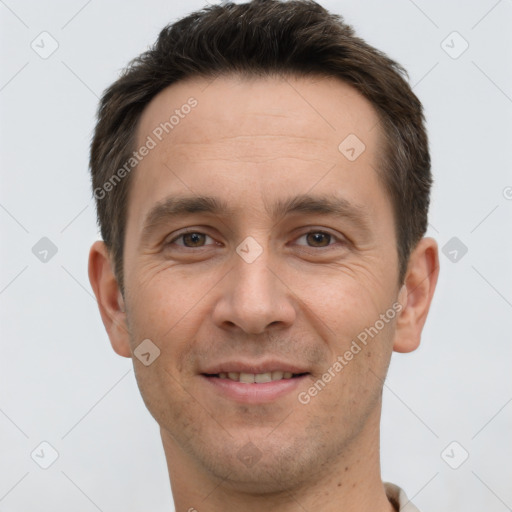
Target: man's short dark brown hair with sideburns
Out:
[265,38]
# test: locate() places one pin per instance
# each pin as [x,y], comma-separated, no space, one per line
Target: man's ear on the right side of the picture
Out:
[416,295]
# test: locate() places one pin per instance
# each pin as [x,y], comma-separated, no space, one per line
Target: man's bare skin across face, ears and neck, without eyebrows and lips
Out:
[252,142]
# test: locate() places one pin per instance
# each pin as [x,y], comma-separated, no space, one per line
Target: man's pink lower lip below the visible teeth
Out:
[254,393]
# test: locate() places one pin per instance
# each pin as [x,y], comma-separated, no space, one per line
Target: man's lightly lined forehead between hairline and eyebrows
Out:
[253,139]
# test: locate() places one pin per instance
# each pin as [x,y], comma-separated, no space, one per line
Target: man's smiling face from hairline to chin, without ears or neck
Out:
[291,297]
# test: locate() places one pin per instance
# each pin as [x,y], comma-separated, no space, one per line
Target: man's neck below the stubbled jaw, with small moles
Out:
[351,482]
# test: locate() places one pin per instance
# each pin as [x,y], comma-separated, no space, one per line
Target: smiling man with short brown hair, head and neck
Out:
[262,179]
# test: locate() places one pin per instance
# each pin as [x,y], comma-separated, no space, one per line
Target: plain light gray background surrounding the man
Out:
[60,381]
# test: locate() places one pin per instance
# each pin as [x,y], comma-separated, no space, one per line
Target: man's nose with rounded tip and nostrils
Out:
[254,297]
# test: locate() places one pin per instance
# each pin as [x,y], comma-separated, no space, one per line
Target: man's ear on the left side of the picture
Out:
[110,300]
